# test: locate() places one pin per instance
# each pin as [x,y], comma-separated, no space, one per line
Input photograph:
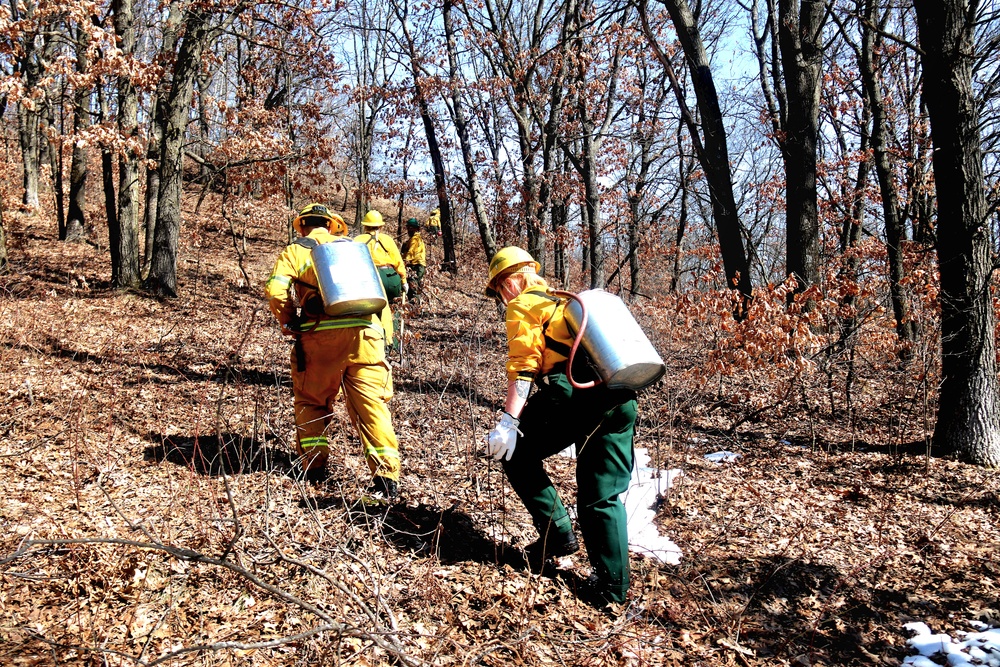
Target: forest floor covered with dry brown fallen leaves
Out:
[150,517]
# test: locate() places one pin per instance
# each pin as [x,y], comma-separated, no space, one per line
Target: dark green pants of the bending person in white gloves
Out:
[602,424]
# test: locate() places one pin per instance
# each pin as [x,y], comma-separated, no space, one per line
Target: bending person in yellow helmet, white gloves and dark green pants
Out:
[600,421]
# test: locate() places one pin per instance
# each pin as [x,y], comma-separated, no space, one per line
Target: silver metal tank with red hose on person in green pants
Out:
[615,342]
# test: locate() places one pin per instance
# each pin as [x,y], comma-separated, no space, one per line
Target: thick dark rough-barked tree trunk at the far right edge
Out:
[968,421]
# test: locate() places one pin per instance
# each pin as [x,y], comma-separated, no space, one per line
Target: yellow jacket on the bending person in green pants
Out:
[538,337]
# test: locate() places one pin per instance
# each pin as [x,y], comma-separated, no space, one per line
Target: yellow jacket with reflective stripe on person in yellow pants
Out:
[294,271]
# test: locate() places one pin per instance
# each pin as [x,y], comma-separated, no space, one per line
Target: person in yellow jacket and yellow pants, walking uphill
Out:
[330,354]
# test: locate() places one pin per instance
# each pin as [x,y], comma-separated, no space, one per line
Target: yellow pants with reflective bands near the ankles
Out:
[352,359]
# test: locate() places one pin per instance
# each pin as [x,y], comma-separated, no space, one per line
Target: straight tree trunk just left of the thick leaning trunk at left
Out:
[127,273]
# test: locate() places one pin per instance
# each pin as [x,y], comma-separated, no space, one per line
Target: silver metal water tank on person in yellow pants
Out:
[347,278]
